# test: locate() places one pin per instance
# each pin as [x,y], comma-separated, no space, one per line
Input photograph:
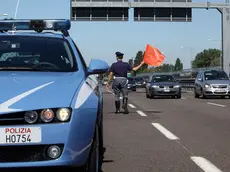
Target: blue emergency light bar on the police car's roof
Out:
[37,25]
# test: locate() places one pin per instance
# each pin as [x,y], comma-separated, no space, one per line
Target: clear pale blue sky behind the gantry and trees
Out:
[102,39]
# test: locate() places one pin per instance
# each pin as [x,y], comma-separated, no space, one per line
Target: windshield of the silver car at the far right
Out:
[215,75]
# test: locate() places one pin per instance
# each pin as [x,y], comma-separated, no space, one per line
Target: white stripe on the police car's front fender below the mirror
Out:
[84,93]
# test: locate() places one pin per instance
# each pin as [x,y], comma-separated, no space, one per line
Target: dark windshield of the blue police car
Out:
[36,54]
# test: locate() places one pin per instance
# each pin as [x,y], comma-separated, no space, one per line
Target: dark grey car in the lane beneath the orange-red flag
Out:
[163,85]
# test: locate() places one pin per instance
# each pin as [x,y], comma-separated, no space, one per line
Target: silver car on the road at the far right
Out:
[212,83]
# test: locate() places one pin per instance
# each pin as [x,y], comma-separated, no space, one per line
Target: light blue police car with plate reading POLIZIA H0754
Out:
[50,102]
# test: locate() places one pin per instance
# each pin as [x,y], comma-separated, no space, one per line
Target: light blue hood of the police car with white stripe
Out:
[22,91]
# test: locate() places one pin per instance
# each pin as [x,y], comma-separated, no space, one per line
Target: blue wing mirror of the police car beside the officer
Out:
[97,66]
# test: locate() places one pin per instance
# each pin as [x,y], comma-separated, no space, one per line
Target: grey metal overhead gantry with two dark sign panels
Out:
[152,11]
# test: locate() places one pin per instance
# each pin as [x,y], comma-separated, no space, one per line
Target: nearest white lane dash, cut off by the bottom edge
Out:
[204,164]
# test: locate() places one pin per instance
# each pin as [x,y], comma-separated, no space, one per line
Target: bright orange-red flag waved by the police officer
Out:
[152,56]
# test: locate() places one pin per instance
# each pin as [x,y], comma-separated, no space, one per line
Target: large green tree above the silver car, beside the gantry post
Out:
[207,58]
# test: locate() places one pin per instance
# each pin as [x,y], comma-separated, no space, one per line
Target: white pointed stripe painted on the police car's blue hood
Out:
[4,107]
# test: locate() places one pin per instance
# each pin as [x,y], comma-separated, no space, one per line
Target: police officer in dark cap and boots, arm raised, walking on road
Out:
[119,70]
